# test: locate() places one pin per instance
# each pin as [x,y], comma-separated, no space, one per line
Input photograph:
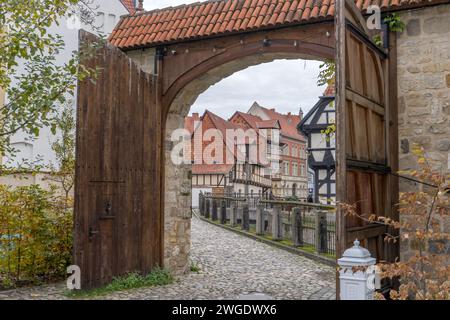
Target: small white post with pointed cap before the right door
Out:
[357,284]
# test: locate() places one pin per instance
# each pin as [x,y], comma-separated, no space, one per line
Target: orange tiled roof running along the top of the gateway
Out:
[216,17]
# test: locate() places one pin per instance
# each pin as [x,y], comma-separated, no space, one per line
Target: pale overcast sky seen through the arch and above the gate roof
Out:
[285,85]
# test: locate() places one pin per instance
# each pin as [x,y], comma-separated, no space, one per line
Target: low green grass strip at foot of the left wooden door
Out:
[158,277]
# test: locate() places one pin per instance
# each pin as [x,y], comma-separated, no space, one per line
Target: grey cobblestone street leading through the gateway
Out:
[232,267]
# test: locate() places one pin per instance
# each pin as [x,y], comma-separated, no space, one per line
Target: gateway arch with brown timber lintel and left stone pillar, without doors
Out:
[183,71]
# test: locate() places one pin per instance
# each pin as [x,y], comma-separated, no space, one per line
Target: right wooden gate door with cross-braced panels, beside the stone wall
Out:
[366,133]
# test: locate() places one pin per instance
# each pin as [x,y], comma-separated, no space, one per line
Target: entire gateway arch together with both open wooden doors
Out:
[143,102]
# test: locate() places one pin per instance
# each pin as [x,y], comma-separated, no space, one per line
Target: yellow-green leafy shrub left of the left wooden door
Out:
[35,235]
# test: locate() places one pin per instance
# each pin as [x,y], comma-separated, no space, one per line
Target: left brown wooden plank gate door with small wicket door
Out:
[117,192]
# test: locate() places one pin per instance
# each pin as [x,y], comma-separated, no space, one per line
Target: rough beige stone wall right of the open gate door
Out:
[424,93]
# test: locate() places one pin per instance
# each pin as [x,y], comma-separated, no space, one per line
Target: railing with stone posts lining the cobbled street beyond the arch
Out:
[301,224]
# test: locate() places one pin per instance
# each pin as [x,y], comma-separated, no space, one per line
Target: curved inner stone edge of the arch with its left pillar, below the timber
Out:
[177,183]
